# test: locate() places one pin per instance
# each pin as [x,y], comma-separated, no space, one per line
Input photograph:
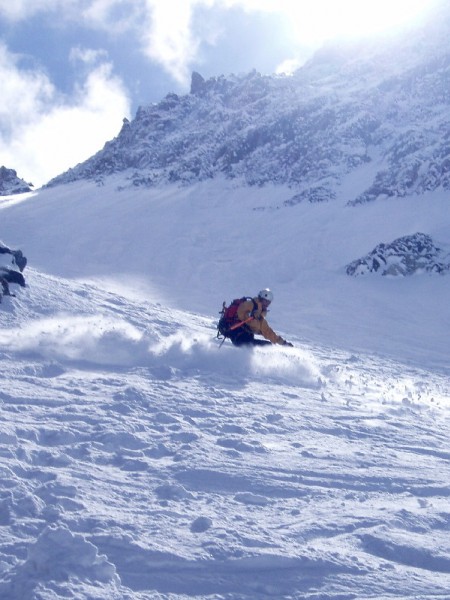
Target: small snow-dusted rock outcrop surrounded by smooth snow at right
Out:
[407,255]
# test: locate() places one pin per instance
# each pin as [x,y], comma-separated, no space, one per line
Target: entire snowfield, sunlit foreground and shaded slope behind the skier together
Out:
[140,461]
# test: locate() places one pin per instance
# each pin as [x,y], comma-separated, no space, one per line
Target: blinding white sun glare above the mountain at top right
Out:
[327,19]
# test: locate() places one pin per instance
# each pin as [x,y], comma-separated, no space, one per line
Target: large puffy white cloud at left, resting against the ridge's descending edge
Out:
[43,133]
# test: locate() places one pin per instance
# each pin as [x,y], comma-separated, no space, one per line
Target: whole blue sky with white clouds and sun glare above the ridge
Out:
[72,70]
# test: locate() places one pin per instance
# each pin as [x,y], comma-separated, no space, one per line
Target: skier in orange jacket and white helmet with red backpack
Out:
[250,319]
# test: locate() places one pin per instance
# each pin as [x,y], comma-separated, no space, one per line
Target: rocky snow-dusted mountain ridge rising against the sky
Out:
[353,108]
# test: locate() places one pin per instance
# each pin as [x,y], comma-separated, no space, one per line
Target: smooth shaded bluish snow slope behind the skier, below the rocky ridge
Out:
[194,247]
